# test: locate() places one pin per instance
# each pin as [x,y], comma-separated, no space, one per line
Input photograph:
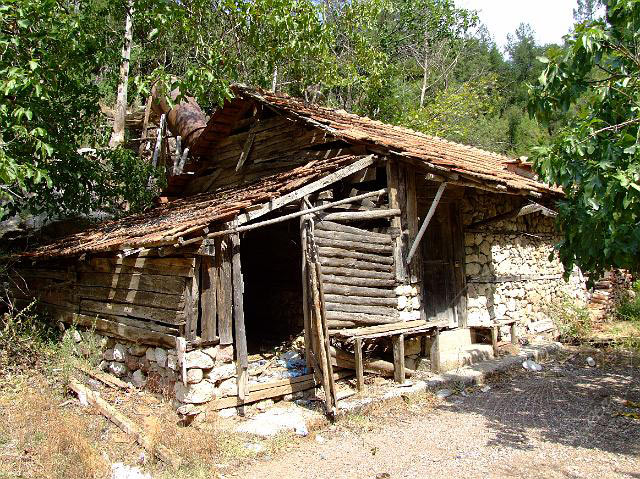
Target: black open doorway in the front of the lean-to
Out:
[272,274]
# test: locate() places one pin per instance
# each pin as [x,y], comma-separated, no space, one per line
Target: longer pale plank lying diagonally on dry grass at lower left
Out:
[125,424]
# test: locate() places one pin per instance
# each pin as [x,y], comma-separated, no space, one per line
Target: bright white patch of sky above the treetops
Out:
[551,19]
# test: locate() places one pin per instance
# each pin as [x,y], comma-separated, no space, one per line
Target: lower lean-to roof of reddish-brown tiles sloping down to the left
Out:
[167,223]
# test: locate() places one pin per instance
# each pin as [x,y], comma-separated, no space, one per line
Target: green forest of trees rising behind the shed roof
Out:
[423,64]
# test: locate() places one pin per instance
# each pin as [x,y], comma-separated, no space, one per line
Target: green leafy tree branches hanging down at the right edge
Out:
[594,158]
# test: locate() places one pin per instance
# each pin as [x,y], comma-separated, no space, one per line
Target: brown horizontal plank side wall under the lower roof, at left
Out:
[153,298]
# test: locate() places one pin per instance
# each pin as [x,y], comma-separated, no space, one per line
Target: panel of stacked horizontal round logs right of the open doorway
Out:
[357,275]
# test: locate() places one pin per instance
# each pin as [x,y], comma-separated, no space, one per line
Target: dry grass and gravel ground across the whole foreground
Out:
[570,421]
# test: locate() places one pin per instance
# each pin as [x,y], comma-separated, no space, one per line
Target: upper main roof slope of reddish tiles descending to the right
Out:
[470,162]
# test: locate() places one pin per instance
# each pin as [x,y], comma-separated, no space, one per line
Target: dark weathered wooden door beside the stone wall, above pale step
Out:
[443,259]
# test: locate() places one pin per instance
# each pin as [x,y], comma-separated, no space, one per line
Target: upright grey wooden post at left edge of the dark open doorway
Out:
[242,361]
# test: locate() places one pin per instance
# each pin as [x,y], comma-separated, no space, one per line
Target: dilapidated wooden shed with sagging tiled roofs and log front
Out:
[286,217]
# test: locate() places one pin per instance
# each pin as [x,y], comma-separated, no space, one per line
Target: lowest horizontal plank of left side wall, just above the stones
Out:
[119,330]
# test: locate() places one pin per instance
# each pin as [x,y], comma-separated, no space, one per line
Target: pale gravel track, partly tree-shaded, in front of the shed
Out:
[562,422]
